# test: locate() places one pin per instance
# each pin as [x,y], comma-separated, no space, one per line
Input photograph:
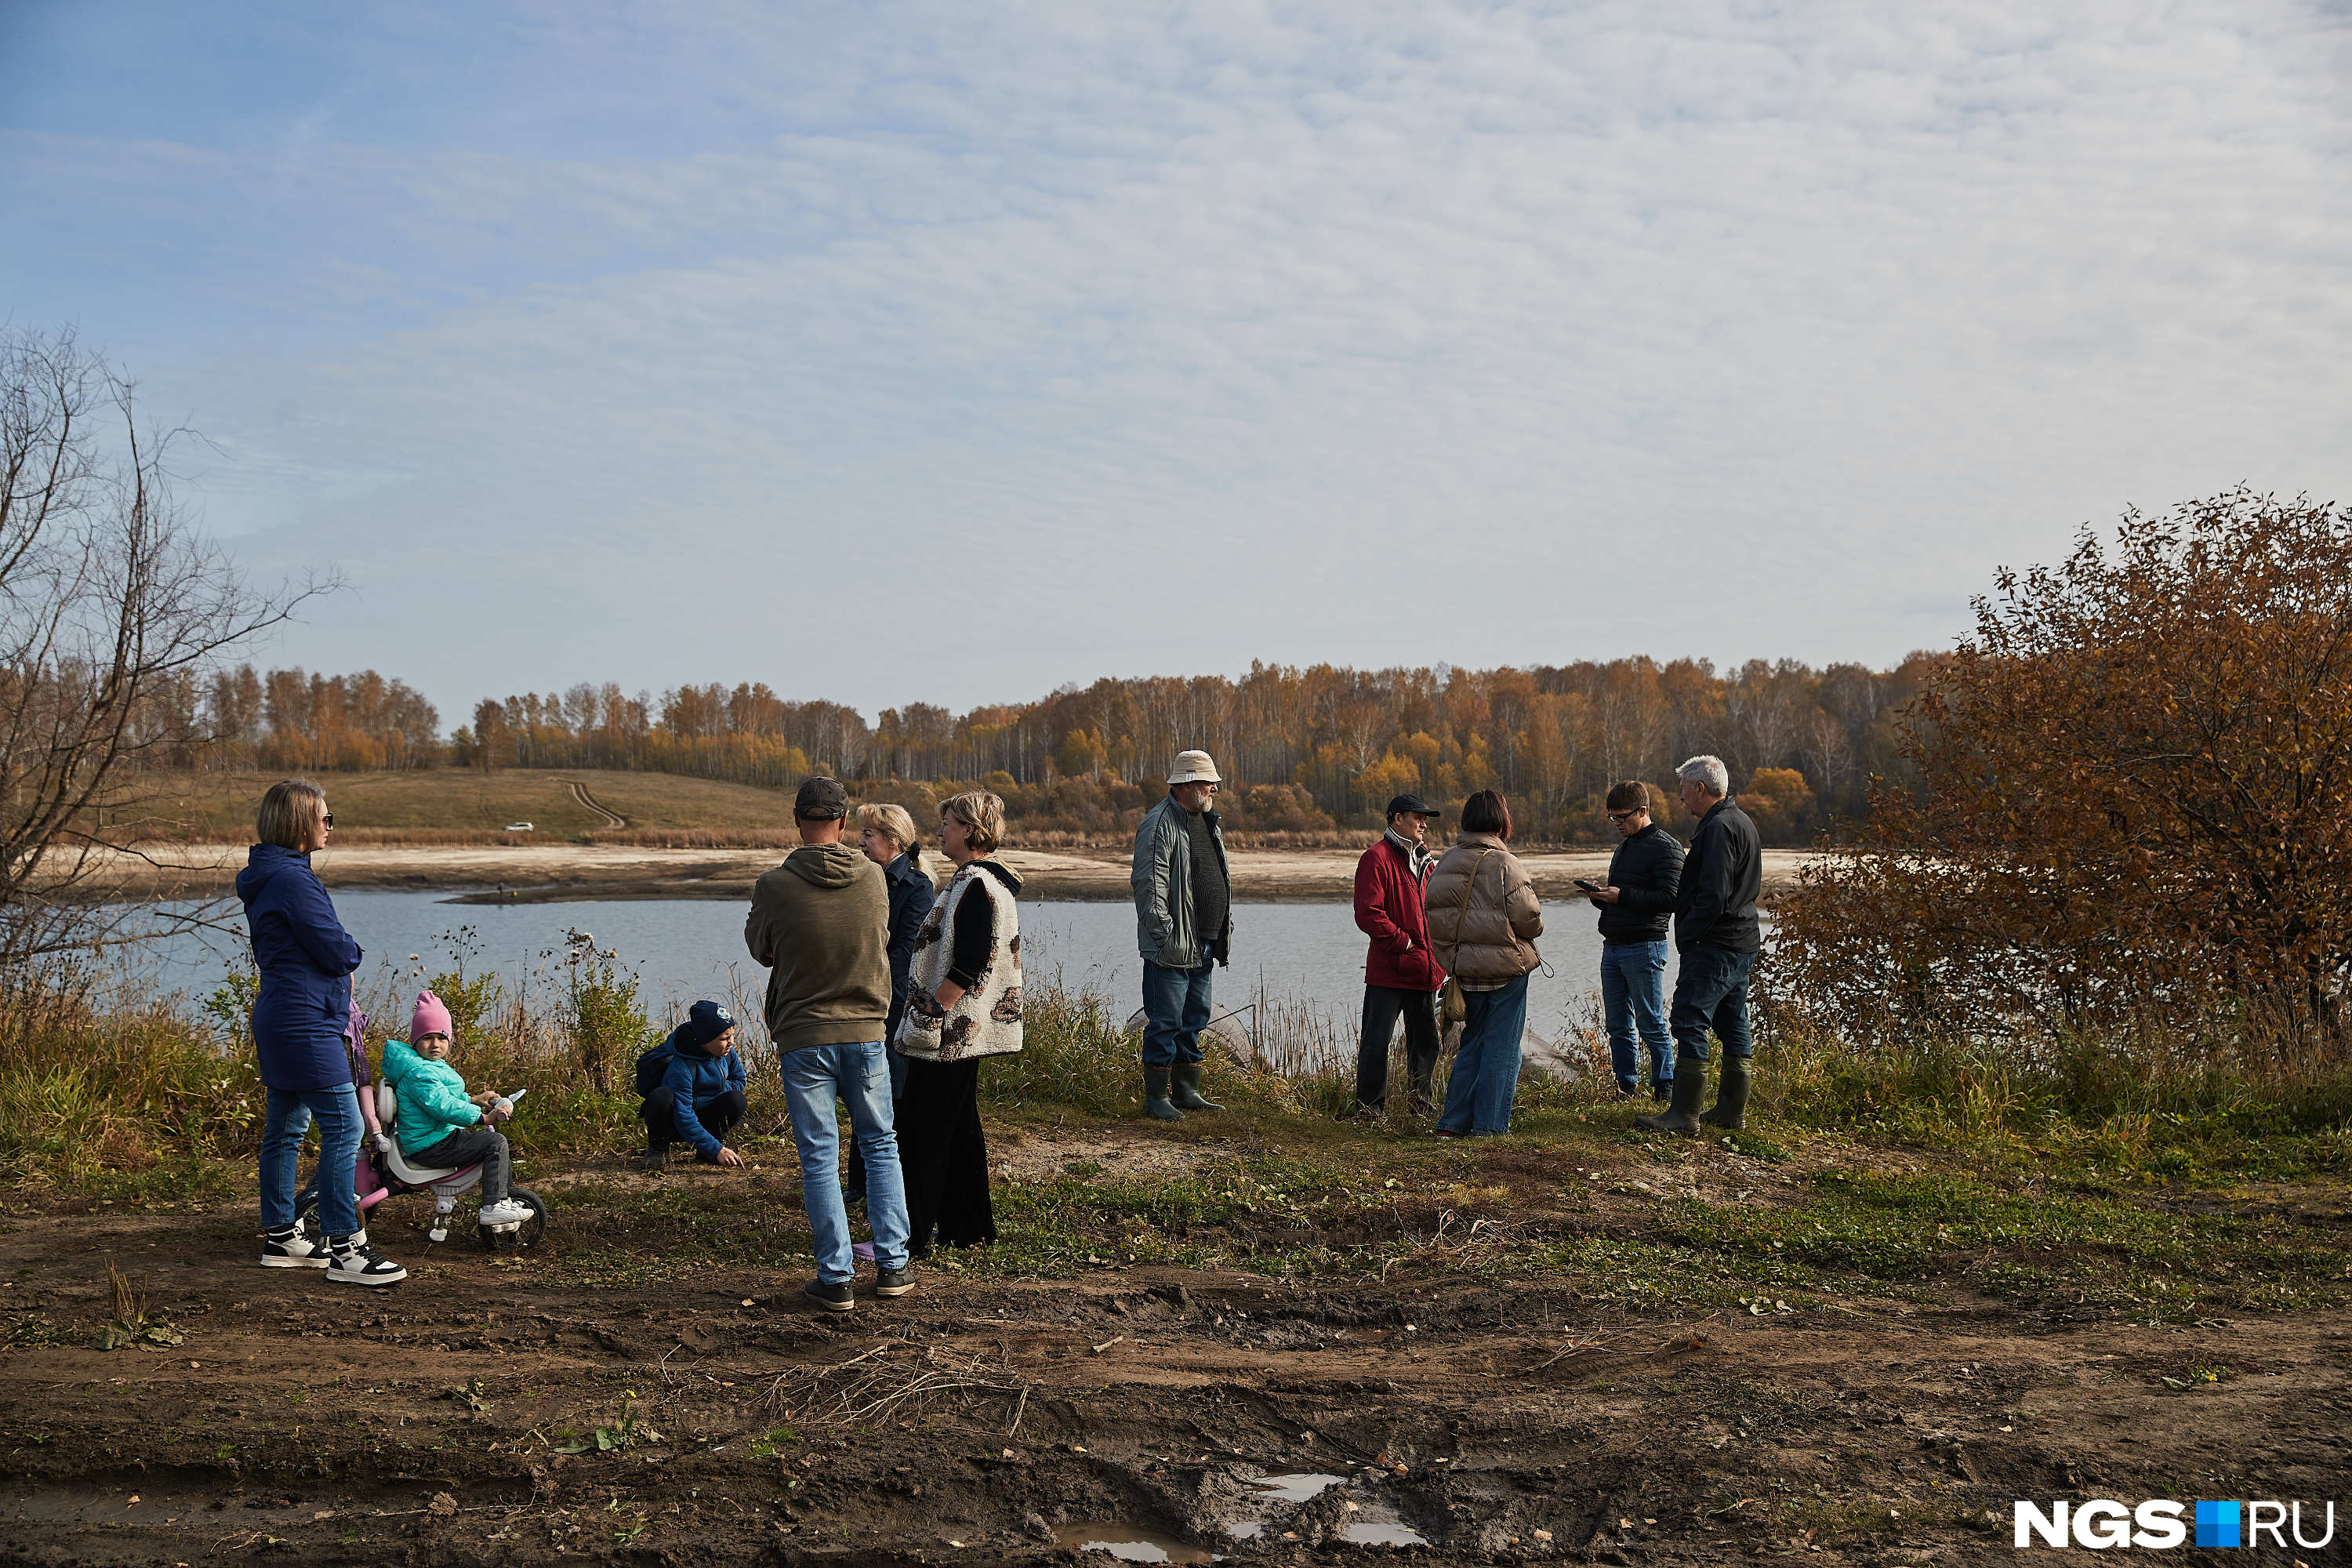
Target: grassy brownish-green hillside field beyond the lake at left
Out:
[413,808]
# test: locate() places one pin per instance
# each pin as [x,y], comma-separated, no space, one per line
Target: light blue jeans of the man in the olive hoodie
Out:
[860,1076]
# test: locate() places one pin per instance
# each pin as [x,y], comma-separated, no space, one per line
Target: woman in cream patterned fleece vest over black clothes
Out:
[963,1005]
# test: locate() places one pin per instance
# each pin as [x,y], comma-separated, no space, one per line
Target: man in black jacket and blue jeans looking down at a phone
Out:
[1638,906]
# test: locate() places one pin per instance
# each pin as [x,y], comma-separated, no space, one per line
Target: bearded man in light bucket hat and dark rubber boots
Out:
[1184,930]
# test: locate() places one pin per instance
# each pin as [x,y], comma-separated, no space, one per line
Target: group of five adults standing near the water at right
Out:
[1452,942]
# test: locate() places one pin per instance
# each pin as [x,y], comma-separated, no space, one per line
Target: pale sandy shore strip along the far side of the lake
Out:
[592,871]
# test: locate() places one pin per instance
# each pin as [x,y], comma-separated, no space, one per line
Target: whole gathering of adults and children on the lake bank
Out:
[888,993]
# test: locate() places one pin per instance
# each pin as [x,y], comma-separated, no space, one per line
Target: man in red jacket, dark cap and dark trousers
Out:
[1401,974]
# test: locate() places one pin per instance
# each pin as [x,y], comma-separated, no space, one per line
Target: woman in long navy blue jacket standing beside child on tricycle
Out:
[307,960]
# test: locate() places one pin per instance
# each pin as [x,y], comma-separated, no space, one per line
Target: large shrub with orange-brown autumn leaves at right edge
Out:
[2134,815]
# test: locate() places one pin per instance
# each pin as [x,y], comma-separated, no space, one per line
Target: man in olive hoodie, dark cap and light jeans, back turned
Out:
[820,925]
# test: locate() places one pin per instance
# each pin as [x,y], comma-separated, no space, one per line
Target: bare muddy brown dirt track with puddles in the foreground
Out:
[502,1412]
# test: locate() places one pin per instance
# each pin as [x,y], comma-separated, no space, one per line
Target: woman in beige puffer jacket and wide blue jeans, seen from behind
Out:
[1483,927]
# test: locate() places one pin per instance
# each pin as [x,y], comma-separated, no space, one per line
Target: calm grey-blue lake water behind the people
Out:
[1299,953]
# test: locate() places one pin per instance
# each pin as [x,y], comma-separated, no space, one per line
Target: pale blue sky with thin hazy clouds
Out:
[951,354]
